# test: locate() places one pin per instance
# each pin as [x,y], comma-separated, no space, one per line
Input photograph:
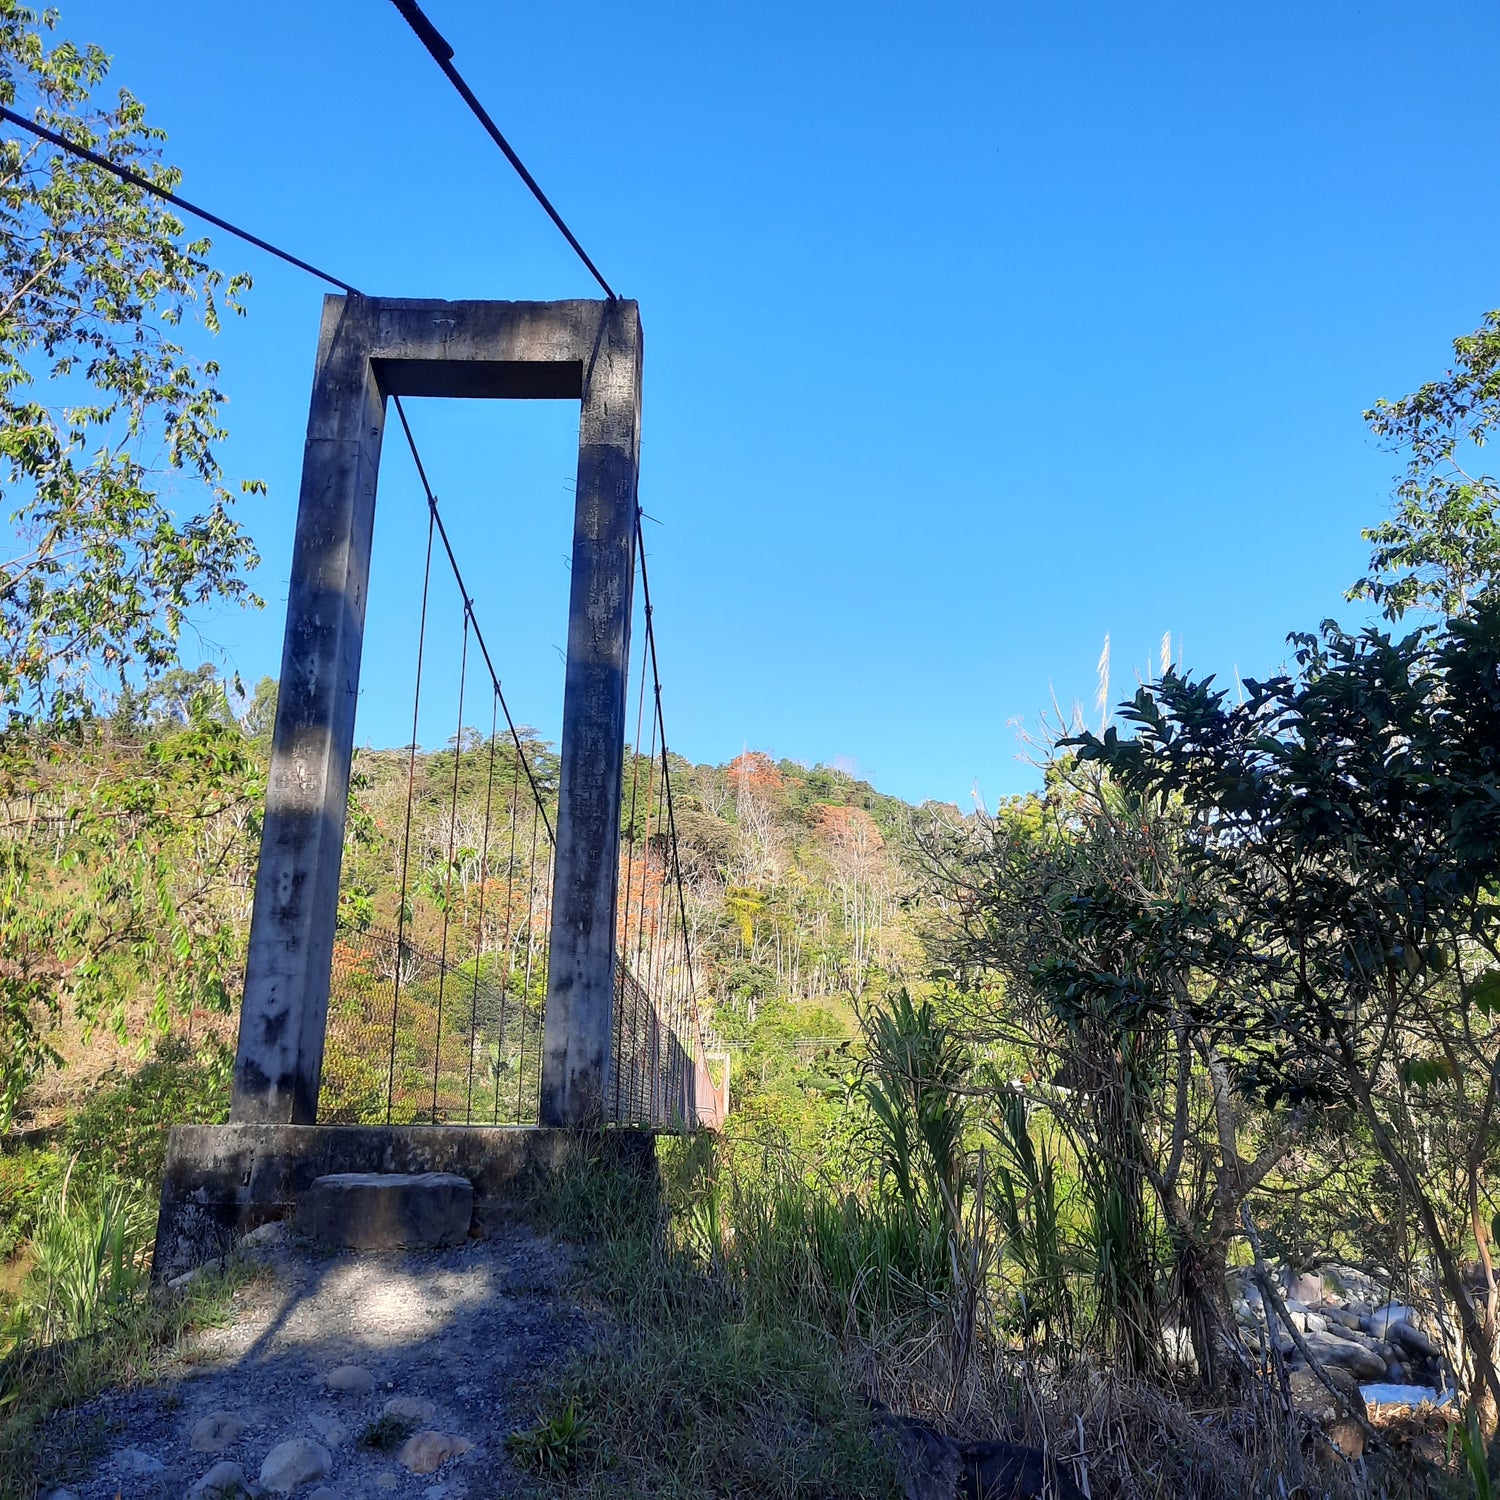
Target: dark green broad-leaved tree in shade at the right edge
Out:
[1349,818]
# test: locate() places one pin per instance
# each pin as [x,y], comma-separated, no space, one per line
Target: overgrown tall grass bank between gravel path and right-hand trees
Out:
[961,1265]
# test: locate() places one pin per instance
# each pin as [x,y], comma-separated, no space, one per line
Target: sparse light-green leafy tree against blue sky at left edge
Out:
[106,419]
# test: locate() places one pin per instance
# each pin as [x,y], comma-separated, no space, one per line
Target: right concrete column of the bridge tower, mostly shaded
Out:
[581,964]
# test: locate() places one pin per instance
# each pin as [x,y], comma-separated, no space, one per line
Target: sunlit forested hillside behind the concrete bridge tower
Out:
[797,889]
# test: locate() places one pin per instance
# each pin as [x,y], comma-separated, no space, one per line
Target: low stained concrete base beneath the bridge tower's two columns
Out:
[223,1181]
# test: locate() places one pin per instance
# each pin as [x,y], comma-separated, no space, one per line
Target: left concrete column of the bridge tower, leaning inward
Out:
[280,1054]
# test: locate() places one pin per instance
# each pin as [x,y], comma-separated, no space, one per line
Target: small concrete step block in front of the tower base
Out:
[388,1210]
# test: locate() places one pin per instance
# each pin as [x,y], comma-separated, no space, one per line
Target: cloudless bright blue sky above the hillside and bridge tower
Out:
[974,332]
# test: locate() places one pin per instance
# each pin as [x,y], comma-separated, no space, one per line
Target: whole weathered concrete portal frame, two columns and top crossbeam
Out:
[371,349]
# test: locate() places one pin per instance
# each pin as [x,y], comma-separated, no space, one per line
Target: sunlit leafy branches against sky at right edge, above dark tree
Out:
[1442,547]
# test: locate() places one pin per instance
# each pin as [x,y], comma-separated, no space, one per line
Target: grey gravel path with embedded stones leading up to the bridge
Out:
[449,1342]
